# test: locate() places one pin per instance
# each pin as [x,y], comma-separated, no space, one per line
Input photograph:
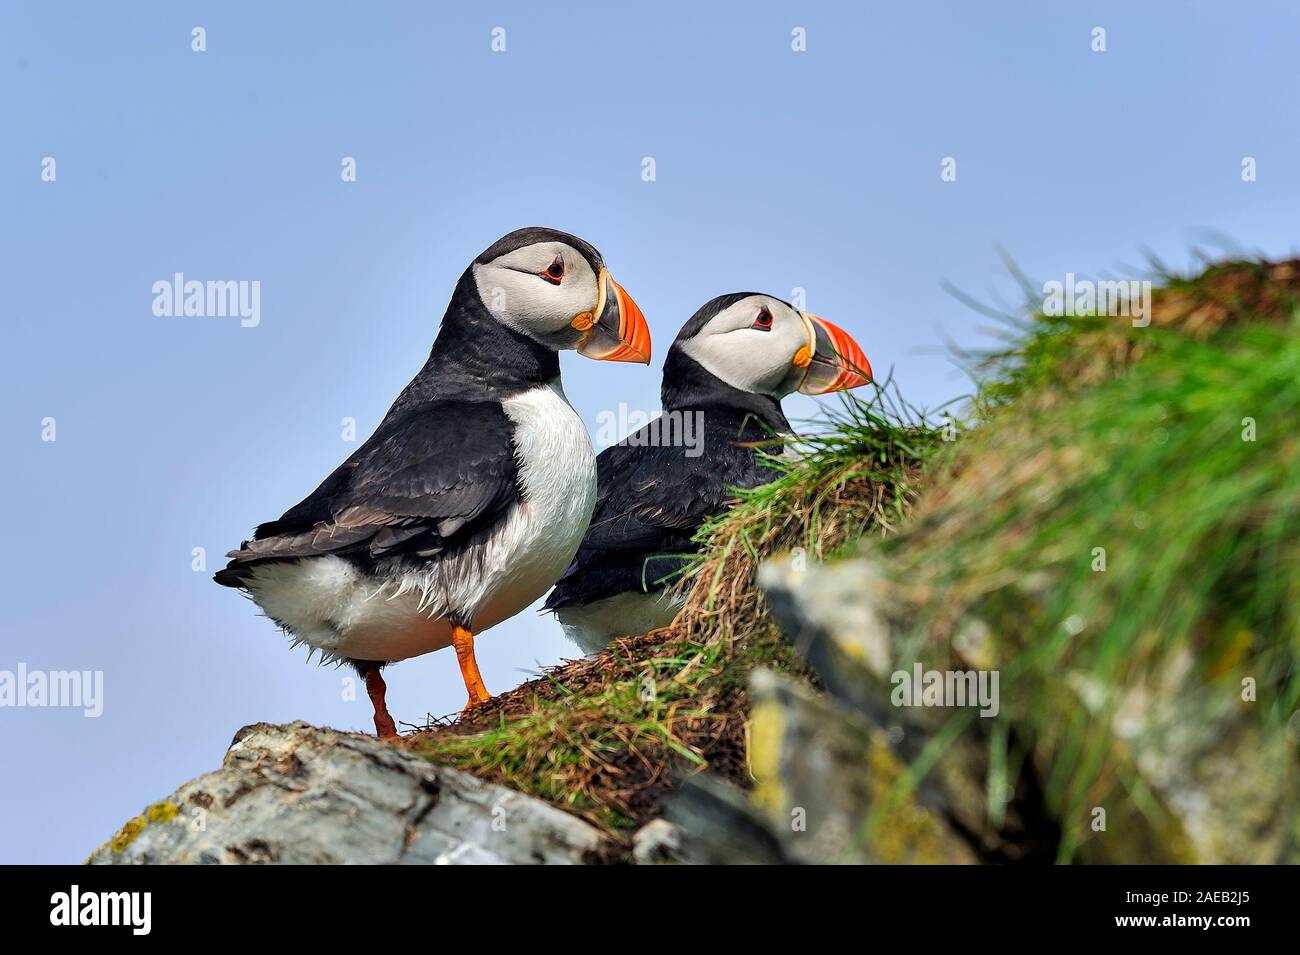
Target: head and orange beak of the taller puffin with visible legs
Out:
[554,289]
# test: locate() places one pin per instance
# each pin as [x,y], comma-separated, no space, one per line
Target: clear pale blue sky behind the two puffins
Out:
[775,170]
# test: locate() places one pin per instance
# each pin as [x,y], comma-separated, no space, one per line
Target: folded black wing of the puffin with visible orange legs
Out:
[422,484]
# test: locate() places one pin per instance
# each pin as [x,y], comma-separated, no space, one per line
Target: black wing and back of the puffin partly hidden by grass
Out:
[651,502]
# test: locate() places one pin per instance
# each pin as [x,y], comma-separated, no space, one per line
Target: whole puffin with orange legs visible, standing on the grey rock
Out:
[471,497]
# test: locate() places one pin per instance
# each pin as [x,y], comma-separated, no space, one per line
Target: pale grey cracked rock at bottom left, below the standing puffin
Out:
[296,795]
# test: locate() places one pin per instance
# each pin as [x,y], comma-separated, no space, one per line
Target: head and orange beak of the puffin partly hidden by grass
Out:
[764,346]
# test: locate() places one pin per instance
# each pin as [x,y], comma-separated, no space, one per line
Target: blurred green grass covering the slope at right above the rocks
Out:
[1095,435]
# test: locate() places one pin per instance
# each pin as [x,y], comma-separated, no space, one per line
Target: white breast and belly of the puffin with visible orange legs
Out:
[330,605]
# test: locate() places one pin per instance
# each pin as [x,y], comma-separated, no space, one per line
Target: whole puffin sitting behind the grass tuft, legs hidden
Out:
[723,383]
